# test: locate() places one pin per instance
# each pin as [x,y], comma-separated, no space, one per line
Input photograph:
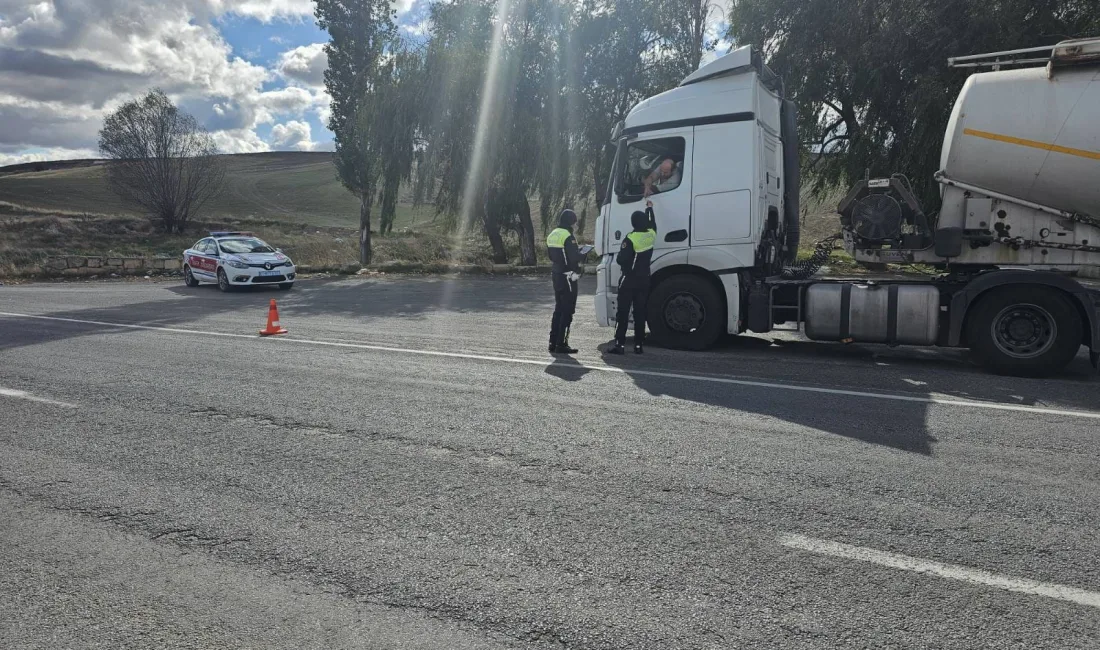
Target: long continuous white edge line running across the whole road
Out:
[606,369]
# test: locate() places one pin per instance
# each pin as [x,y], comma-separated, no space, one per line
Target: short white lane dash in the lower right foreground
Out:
[1020,586]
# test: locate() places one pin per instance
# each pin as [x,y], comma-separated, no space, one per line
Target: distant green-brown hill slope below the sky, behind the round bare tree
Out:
[284,186]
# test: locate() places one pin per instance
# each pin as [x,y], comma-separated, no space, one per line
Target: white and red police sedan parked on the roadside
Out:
[236,260]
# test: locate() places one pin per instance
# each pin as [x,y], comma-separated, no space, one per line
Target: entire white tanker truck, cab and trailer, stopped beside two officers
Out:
[1019,223]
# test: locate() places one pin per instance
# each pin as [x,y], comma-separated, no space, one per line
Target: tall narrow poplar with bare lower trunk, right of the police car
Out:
[360,32]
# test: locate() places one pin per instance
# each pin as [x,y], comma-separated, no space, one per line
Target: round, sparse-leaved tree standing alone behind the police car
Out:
[163,162]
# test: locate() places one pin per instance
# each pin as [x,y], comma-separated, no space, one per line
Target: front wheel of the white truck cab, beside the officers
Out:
[686,313]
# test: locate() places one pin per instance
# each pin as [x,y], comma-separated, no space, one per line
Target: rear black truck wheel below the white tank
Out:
[1025,332]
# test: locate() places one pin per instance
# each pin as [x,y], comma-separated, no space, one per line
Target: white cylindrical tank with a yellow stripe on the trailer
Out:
[1030,134]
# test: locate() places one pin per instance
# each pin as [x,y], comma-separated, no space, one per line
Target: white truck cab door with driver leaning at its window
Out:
[665,159]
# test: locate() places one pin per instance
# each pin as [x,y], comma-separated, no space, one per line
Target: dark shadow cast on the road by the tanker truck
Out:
[896,424]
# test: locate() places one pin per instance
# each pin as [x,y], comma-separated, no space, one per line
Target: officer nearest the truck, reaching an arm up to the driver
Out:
[634,260]
